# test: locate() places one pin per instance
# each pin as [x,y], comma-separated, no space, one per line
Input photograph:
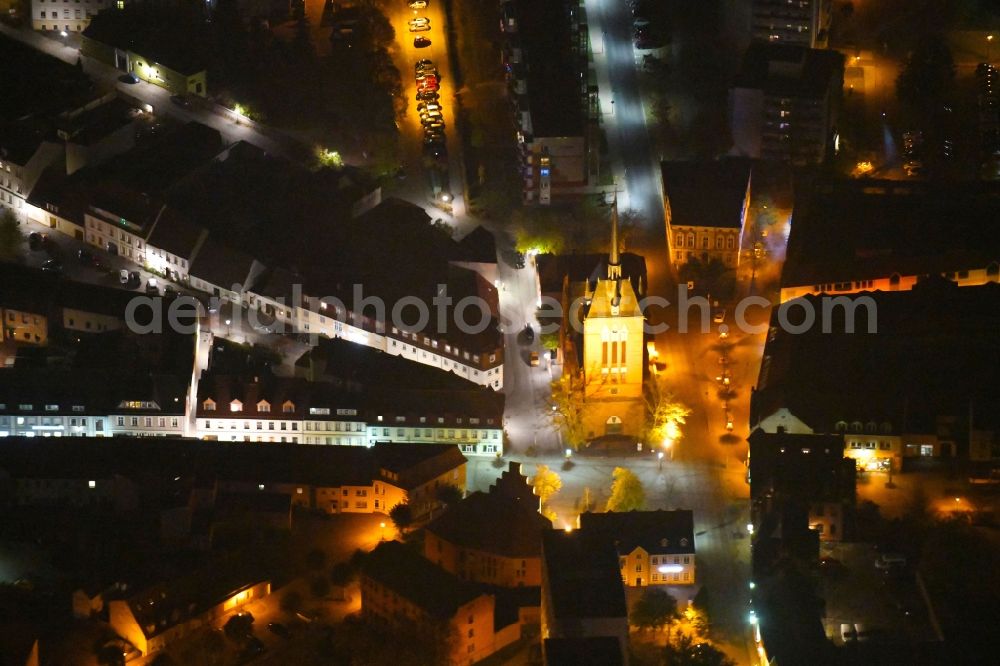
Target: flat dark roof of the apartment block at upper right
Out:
[789,70]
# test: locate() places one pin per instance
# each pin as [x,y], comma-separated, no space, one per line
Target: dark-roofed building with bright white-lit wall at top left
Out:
[145,41]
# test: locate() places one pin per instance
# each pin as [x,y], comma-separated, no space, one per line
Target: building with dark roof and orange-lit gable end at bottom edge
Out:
[399,587]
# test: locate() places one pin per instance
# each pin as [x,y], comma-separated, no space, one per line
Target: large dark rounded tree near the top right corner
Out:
[927,76]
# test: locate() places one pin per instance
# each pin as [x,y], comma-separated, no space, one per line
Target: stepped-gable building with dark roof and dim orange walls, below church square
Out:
[494,537]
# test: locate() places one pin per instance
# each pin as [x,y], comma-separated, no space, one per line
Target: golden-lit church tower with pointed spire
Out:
[612,350]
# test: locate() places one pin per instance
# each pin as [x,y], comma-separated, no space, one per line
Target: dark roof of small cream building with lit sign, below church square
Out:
[657,532]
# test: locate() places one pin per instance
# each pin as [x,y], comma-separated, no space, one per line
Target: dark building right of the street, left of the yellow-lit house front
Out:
[807,471]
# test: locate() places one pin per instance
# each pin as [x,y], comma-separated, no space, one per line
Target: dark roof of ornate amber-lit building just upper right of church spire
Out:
[706,194]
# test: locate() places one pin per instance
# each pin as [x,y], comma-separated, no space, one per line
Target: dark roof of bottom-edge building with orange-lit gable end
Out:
[428,586]
